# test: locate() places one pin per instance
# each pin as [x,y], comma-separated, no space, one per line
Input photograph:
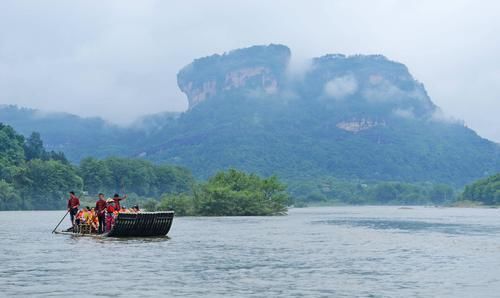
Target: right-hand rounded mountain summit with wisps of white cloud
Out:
[368,82]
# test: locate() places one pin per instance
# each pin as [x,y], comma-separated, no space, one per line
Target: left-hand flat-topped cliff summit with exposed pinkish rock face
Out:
[259,68]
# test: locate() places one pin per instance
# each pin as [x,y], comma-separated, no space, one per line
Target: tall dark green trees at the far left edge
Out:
[30,177]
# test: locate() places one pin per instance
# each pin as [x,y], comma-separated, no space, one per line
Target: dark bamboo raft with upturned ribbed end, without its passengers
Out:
[143,224]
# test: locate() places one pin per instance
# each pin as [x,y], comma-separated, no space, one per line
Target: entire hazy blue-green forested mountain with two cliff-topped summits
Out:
[349,117]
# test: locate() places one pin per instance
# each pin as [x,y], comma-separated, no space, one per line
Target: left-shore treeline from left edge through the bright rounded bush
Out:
[32,178]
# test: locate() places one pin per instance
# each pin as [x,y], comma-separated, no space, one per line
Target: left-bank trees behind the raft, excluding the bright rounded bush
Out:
[32,178]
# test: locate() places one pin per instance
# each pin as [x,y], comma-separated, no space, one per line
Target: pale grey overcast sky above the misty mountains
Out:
[119,59]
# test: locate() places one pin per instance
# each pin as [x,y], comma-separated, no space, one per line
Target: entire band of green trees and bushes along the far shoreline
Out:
[32,178]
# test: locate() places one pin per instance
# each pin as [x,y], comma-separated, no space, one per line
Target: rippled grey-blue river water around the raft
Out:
[312,252]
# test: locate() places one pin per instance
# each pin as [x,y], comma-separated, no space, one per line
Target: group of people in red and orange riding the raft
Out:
[100,218]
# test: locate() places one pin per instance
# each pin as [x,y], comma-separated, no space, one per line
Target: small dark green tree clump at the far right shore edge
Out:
[485,191]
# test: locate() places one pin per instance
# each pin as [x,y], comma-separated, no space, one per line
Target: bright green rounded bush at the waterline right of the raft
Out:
[231,193]
